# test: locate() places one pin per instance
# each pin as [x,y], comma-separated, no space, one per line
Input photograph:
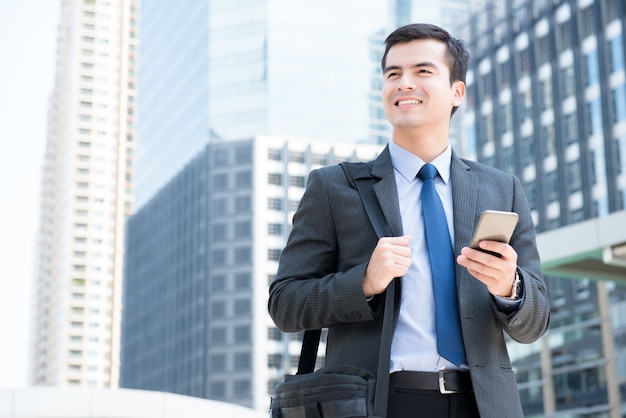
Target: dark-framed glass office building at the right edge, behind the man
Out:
[547,101]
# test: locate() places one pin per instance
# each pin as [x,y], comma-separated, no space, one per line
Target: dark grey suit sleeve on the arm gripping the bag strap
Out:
[315,285]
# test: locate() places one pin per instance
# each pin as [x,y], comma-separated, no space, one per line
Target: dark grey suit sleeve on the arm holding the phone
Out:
[531,320]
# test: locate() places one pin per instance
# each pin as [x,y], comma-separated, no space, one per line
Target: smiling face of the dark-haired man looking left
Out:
[417,95]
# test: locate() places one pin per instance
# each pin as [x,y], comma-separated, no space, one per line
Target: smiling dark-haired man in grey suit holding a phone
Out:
[334,270]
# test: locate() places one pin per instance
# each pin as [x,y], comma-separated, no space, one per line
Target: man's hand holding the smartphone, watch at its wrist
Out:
[497,273]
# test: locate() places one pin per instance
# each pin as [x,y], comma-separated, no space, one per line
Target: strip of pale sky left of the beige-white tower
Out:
[27,59]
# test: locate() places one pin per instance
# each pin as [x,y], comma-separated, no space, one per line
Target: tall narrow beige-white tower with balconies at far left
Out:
[86,197]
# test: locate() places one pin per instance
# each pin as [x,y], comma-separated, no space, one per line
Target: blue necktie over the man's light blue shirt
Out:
[449,337]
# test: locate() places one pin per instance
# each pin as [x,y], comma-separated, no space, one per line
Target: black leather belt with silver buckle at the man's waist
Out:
[444,381]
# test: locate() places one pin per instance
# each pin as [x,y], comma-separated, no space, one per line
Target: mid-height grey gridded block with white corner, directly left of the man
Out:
[199,257]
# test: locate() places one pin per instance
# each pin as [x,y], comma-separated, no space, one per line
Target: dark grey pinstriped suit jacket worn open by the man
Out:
[319,278]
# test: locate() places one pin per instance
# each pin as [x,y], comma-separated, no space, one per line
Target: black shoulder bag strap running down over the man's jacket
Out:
[359,175]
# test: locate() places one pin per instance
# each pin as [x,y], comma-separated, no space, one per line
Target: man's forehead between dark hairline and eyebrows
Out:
[419,50]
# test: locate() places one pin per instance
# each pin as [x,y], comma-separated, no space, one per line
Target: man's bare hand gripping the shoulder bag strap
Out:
[391,258]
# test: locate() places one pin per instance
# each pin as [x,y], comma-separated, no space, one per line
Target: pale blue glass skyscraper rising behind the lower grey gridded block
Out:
[213,71]
